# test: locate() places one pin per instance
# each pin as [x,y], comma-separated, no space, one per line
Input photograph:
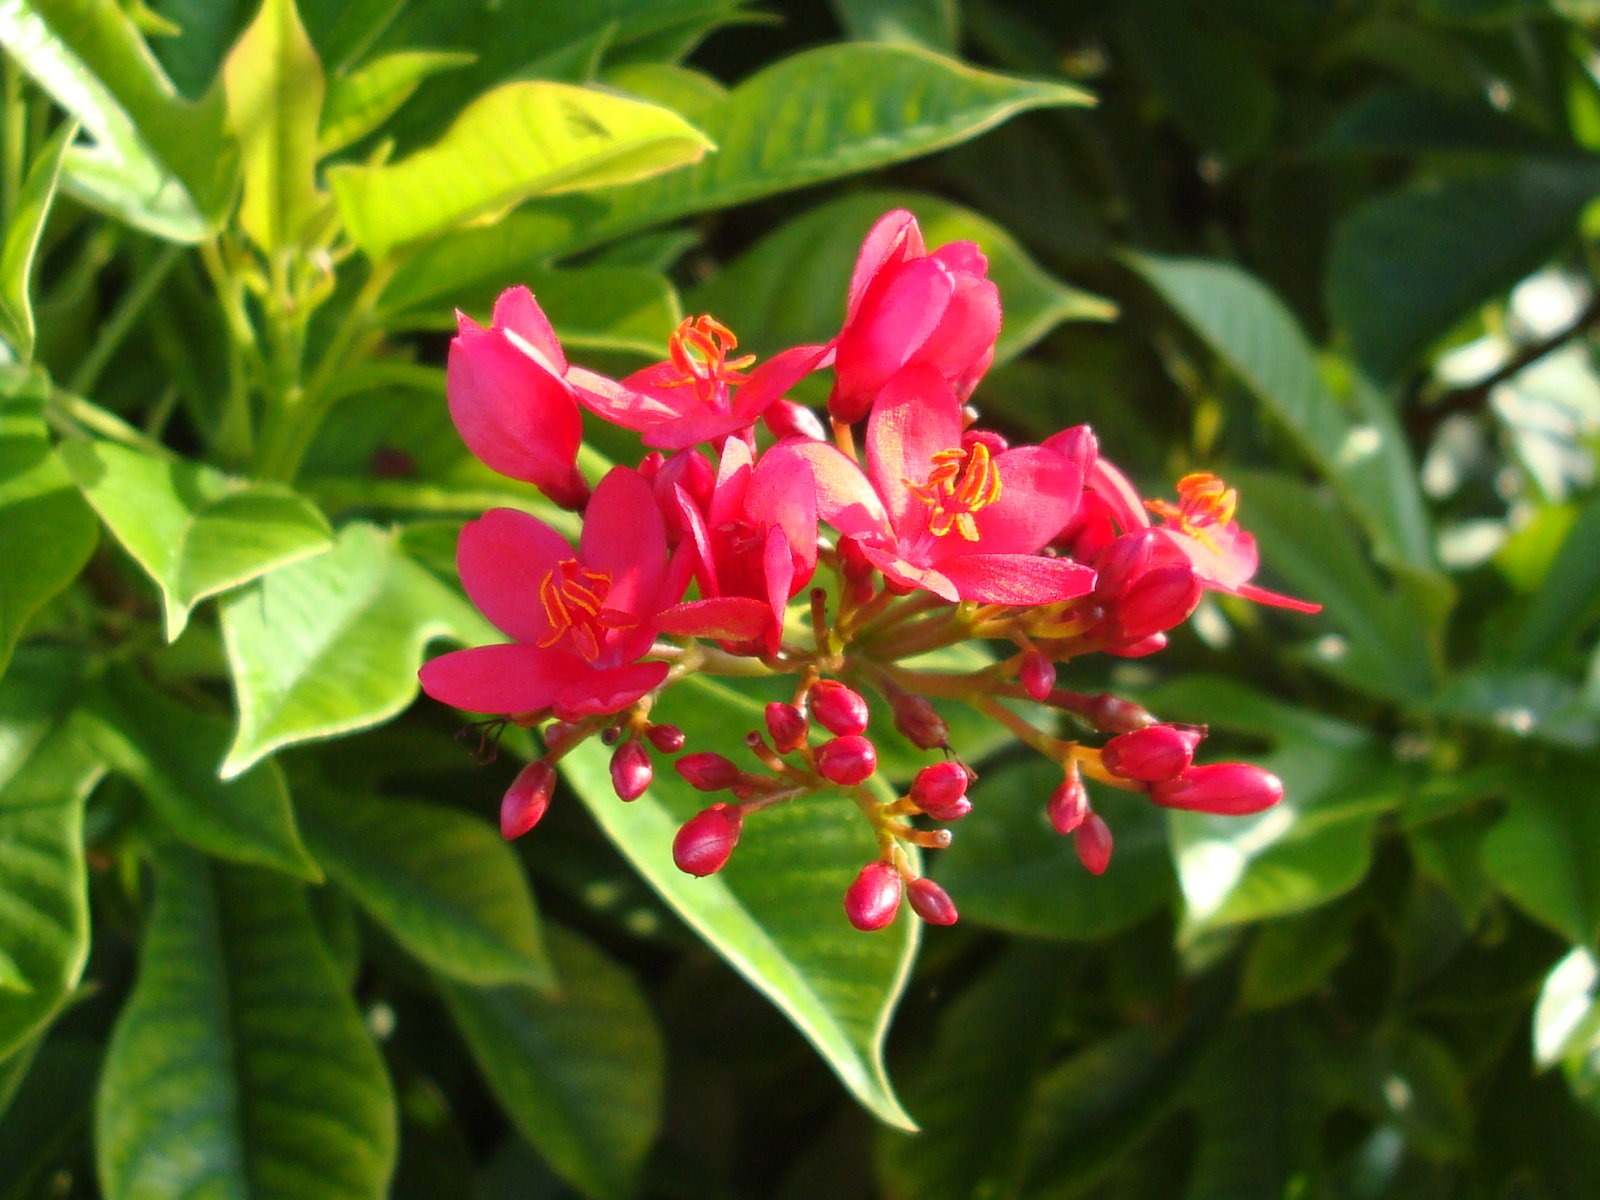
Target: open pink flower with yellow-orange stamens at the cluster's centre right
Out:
[946,516]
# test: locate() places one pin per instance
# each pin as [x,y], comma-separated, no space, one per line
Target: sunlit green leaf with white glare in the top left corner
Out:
[159,161]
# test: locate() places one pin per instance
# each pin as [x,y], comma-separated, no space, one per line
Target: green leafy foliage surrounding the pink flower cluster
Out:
[255,926]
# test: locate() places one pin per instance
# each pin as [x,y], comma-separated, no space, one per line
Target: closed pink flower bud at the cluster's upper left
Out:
[511,402]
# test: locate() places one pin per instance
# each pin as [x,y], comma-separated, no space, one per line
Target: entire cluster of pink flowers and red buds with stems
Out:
[710,558]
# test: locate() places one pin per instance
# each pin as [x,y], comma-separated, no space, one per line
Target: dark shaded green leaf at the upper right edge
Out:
[1412,263]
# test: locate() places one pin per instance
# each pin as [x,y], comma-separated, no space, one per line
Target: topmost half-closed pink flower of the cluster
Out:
[911,308]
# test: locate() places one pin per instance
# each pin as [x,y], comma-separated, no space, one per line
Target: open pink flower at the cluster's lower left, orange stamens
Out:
[580,622]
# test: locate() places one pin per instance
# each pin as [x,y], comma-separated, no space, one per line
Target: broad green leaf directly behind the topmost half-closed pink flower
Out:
[791,287]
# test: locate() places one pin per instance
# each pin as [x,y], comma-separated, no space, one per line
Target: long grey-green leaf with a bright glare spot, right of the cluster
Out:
[1361,450]
